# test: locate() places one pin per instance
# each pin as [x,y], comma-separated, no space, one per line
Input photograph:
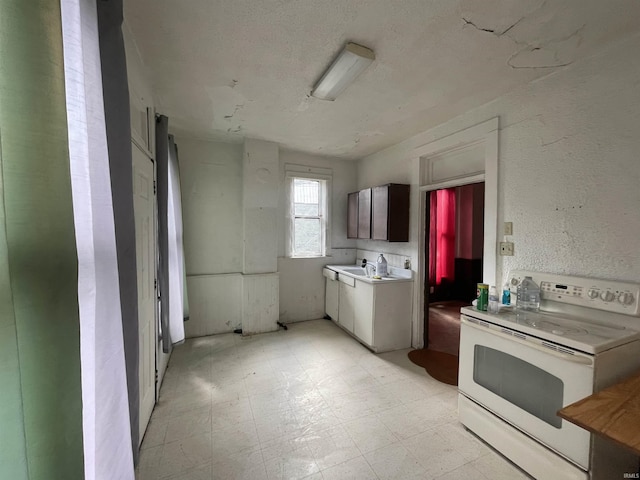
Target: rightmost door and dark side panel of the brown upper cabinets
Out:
[390,213]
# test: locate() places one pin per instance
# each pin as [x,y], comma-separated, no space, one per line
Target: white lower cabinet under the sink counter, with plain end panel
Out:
[377,314]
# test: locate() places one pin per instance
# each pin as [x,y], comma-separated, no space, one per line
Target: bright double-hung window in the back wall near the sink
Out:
[308,222]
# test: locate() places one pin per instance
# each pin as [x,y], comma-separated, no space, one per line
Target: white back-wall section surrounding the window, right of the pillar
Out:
[301,282]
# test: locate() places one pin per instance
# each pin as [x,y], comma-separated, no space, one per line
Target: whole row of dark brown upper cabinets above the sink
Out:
[379,213]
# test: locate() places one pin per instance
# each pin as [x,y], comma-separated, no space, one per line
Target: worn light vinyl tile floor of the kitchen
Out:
[312,403]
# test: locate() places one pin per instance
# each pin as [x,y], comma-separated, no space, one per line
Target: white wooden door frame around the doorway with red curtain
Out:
[483,135]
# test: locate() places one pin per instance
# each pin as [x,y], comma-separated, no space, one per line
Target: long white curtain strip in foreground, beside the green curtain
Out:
[106,428]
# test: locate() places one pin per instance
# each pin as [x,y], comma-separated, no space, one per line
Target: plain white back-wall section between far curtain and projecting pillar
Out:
[211,182]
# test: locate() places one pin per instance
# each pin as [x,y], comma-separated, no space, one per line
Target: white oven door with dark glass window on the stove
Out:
[526,383]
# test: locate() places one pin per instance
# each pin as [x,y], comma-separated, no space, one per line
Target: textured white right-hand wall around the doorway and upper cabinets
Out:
[569,172]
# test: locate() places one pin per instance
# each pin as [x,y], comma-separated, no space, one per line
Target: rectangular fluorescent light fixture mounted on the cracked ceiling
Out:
[350,63]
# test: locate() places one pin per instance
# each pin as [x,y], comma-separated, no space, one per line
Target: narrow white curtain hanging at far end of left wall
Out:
[176,256]
